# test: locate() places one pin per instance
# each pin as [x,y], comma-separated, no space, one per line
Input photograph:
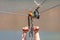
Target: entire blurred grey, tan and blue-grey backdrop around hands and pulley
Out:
[13,16]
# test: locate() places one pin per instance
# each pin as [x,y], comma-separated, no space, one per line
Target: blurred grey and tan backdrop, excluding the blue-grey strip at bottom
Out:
[49,15]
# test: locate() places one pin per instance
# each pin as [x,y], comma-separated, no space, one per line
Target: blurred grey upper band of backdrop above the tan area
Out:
[14,5]
